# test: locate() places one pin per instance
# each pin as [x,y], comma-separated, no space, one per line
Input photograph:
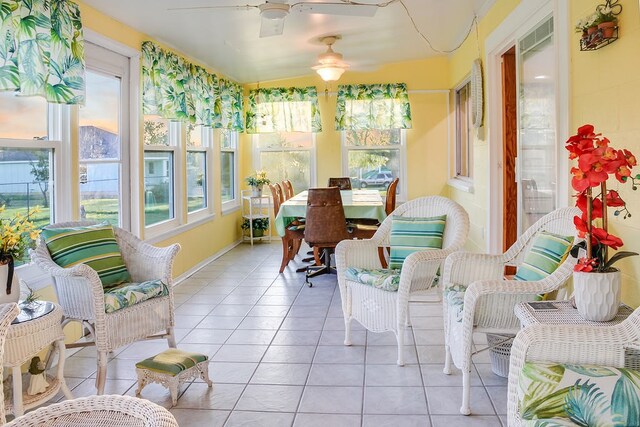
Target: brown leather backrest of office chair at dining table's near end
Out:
[326,224]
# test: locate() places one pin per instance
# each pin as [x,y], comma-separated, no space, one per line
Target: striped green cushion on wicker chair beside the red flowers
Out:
[546,253]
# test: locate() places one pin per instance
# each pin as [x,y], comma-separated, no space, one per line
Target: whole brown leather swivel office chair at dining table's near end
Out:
[326,226]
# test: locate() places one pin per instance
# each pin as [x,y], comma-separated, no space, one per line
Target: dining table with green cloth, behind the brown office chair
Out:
[357,204]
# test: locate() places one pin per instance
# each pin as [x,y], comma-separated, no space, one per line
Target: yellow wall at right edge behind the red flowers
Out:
[605,91]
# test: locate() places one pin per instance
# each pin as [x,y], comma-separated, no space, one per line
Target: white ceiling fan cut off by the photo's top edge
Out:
[273,12]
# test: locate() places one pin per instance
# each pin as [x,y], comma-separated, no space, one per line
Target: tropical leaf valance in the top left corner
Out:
[42,50]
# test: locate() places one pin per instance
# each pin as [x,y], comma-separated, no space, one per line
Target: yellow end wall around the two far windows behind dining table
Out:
[426,141]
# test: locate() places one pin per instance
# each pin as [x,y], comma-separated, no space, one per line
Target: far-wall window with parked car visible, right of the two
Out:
[373,158]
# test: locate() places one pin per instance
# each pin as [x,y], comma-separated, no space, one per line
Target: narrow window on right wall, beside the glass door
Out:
[463,132]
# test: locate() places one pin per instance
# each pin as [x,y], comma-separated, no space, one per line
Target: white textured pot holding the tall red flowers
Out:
[597,295]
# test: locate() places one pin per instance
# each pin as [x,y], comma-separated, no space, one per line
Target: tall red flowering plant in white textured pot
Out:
[596,282]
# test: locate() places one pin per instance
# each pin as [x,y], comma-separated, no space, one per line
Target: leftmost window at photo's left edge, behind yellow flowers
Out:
[29,149]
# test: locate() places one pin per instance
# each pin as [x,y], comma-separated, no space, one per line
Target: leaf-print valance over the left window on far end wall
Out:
[283,110]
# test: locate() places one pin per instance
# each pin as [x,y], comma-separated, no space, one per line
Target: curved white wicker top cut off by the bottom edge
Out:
[103,411]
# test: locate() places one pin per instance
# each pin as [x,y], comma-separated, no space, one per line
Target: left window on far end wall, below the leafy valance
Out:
[287,156]
